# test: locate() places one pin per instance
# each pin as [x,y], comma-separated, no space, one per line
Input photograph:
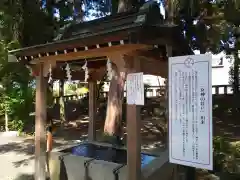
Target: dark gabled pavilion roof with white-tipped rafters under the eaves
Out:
[143,29]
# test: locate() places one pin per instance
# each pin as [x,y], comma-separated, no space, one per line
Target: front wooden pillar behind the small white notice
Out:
[134,135]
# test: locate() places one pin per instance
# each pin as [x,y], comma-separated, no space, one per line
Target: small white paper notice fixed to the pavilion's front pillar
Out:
[135,89]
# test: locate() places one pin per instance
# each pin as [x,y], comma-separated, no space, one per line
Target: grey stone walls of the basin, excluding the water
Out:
[72,167]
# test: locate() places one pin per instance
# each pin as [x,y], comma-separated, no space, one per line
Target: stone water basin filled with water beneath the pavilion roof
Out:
[97,161]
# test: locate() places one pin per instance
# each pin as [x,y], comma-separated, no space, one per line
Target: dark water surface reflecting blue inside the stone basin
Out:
[106,153]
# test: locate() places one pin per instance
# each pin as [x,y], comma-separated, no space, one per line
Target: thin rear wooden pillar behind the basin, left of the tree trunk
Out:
[92,110]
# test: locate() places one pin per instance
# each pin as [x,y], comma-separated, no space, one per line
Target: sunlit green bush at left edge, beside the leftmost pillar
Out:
[16,97]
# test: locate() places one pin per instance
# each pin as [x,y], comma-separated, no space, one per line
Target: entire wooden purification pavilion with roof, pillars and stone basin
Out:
[136,41]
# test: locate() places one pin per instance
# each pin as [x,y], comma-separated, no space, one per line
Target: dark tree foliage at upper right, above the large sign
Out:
[210,26]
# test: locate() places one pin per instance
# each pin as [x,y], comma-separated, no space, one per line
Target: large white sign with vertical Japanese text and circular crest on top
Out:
[190,111]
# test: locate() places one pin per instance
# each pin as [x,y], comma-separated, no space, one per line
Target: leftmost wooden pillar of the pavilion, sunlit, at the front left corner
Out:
[40,122]
